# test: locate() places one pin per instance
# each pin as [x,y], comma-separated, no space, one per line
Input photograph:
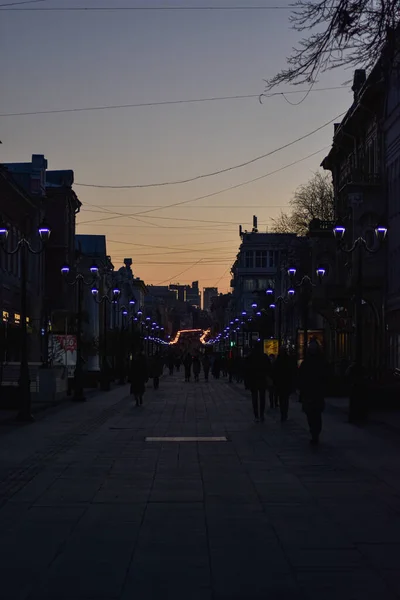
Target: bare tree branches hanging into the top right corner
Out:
[350,33]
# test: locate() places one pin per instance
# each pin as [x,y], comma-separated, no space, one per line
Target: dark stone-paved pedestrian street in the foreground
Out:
[90,510]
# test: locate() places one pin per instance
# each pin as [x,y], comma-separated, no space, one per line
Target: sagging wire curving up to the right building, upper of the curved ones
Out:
[220,171]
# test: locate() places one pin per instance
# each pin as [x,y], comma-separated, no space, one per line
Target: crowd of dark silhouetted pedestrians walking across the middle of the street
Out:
[260,373]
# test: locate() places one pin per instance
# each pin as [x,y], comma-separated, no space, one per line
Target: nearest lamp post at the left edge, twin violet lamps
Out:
[23,247]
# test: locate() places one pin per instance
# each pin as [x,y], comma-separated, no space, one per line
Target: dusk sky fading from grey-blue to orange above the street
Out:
[54,60]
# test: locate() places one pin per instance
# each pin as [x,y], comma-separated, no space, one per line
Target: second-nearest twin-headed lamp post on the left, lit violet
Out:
[79,282]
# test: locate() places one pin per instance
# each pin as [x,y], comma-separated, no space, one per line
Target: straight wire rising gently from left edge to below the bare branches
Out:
[165,102]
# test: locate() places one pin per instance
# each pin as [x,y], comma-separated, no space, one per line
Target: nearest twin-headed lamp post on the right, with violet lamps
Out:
[360,245]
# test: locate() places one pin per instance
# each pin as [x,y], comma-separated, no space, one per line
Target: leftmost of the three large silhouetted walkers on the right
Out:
[258,379]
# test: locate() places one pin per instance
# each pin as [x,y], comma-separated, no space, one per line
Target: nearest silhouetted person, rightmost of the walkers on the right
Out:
[313,375]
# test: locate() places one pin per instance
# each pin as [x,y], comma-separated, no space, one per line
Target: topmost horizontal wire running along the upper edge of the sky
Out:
[143,8]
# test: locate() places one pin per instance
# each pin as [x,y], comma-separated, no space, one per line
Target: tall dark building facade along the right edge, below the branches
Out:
[364,162]
